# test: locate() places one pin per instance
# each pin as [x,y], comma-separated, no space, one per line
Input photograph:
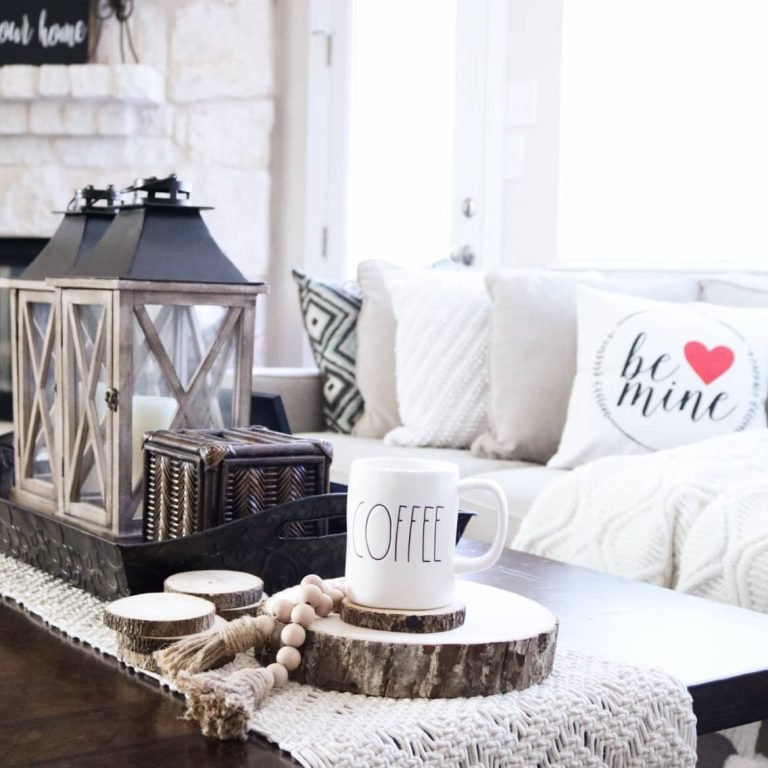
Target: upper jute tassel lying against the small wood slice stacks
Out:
[197,654]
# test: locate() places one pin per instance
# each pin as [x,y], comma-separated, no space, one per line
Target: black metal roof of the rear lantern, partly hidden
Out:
[85,221]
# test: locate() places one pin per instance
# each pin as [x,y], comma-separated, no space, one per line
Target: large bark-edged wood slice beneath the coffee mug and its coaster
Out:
[507,642]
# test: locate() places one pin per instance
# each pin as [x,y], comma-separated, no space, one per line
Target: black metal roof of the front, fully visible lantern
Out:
[159,237]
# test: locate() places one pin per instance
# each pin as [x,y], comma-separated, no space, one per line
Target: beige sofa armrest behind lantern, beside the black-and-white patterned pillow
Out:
[301,390]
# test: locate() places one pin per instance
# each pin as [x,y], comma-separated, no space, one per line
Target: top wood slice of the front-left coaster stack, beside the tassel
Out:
[159,614]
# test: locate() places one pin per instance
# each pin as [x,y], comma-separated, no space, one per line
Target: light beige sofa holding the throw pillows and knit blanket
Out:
[523,481]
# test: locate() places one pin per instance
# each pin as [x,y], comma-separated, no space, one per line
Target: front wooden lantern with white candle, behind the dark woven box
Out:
[157,333]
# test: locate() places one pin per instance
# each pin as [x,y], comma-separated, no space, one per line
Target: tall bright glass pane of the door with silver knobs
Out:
[400,159]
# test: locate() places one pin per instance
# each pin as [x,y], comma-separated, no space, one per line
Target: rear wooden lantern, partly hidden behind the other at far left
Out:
[35,339]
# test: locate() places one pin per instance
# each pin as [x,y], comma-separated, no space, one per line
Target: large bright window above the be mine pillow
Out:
[664,132]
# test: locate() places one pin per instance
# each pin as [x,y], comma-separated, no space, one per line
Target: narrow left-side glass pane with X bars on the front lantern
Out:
[91,388]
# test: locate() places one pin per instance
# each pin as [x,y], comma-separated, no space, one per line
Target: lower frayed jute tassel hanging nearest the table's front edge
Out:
[223,705]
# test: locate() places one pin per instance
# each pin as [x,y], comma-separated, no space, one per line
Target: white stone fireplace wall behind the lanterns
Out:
[200,104]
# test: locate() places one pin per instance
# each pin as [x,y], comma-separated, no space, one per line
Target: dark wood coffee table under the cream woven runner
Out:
[64,705]
